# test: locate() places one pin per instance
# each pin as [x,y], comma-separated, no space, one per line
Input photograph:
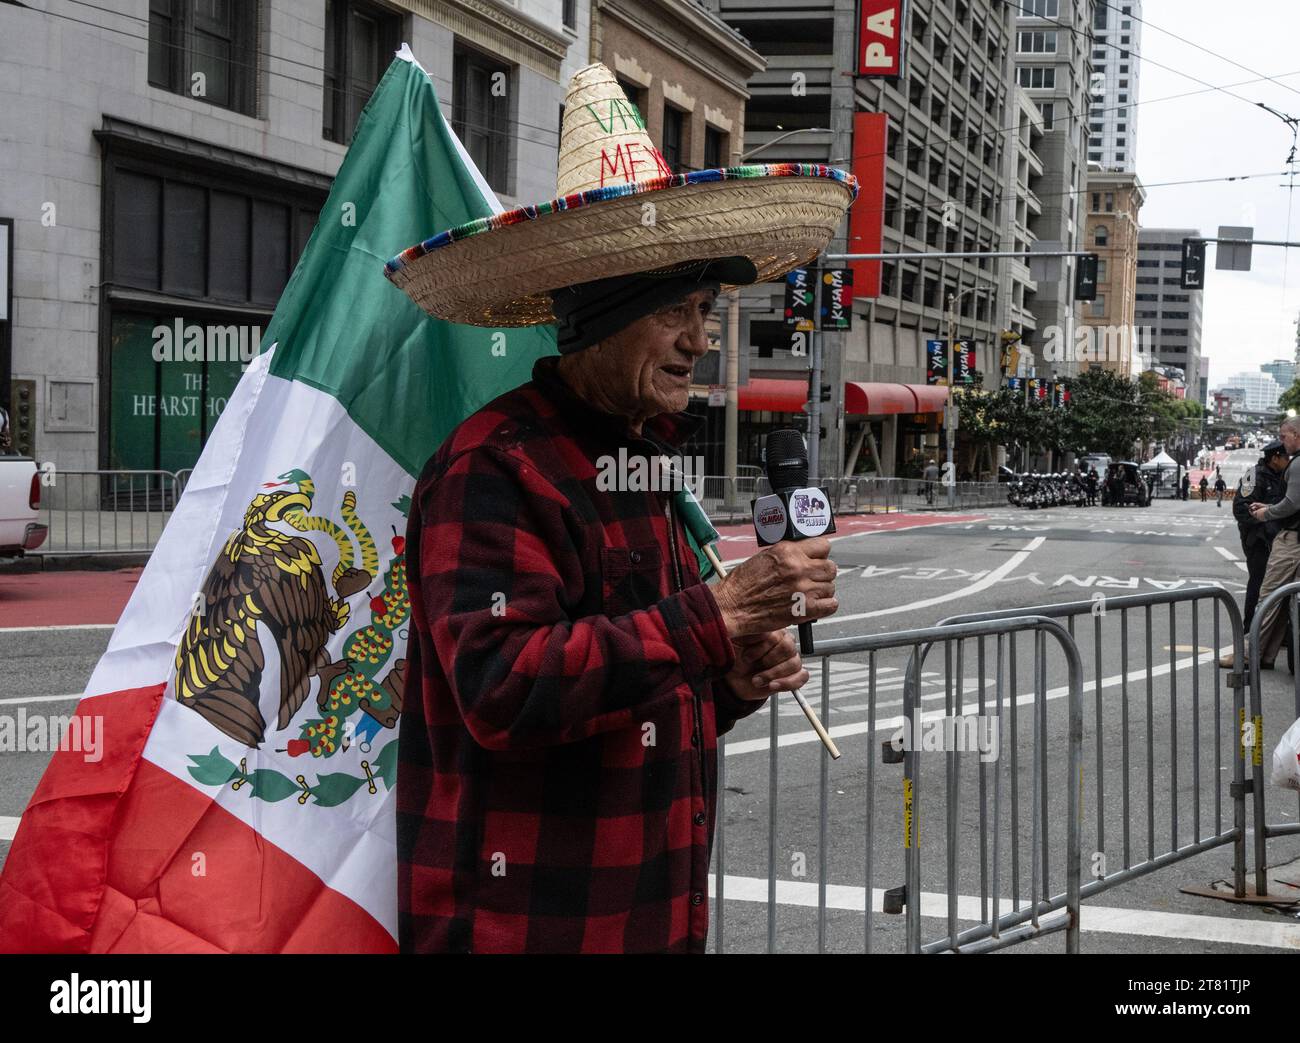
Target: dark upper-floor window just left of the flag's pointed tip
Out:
[358,44]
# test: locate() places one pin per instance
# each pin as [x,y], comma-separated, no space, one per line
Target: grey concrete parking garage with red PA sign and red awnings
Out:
[950,144]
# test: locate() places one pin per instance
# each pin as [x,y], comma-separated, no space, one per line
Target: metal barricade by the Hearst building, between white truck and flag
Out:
[107,512]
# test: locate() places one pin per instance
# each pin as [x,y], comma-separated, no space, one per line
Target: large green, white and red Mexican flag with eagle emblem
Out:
[250,694]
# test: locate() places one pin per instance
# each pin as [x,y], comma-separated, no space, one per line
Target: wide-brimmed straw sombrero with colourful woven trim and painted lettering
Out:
[619,211]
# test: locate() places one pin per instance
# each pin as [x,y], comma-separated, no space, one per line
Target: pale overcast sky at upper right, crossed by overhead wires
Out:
[1249,317]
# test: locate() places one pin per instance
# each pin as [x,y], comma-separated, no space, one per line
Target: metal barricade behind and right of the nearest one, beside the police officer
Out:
[1189,730]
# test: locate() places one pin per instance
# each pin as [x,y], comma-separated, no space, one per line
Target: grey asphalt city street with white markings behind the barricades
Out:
[896,573]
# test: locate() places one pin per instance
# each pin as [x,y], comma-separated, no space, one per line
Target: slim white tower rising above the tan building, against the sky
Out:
[1113,94]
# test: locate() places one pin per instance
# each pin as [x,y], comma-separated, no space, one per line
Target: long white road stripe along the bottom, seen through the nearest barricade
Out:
[1093,919]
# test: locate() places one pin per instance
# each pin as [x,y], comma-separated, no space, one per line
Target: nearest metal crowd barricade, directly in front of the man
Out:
[1035,914]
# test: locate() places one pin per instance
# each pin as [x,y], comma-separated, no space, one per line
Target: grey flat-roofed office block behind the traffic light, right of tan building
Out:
[1171,314]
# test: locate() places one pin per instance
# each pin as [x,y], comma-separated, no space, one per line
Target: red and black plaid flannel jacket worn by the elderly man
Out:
[558,748]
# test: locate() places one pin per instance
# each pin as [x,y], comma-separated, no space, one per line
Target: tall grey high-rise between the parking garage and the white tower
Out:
[1054,66]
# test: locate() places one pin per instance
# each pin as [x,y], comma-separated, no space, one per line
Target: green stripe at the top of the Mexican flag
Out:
[341,327]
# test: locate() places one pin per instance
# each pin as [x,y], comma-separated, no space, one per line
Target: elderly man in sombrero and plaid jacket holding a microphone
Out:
[558,769]
